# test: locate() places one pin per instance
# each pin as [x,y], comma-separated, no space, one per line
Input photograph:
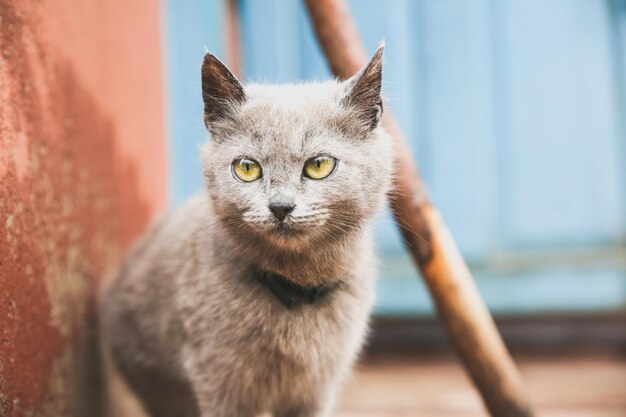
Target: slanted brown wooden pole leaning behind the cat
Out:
[469,325]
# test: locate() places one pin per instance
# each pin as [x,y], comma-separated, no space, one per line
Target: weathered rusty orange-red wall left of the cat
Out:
[81,173]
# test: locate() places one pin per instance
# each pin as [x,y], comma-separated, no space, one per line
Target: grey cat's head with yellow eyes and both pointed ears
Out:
[295,166]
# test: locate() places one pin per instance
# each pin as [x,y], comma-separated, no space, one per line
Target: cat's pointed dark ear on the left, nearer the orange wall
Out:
[221,90]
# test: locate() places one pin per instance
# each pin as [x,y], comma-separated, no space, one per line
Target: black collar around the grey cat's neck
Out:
[291,294]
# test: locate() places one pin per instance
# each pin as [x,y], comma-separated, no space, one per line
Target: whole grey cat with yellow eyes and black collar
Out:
[253,298]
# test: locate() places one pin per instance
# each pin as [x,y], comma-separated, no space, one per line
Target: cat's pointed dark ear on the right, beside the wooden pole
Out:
[364,88]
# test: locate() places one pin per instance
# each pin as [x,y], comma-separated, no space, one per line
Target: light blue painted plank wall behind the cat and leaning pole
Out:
[514,109]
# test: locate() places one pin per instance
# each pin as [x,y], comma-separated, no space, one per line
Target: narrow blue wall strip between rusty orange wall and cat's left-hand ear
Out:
[190,28]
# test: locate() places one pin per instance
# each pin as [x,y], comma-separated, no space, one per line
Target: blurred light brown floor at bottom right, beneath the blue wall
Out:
[573,386]
